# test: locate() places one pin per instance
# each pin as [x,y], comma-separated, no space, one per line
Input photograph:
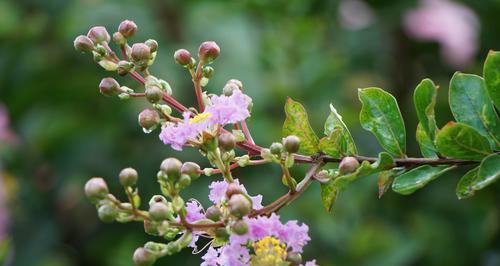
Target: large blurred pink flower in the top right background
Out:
[454,26]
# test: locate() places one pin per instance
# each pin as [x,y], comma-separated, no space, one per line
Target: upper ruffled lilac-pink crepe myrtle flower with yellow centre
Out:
[222,110]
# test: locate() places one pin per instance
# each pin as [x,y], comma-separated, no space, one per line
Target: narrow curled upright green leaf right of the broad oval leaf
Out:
[424,99]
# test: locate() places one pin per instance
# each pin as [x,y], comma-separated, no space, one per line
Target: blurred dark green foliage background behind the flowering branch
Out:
[317,52]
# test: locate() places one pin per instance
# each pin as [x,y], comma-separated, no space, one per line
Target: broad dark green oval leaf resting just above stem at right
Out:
[457,140]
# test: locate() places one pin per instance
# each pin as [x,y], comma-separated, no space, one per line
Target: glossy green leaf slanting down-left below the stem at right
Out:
[417,178]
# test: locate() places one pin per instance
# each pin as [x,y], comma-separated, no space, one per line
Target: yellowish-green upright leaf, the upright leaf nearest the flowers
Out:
[297,123]
